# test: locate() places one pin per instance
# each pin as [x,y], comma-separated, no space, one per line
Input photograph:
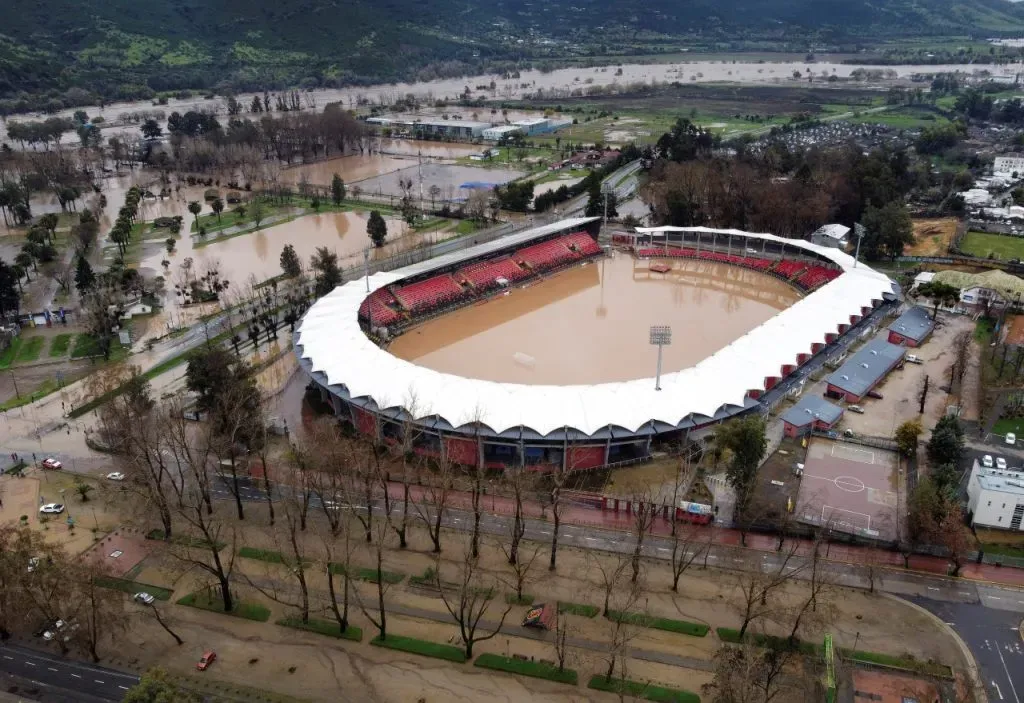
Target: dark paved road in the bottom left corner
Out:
[63,680]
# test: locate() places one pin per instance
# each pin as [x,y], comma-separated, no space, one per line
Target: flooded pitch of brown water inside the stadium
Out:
[590,325]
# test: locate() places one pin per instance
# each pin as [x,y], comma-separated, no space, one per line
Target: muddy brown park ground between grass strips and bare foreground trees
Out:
[324,667]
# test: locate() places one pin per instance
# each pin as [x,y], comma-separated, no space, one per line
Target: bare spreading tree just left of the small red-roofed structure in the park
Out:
[473,599]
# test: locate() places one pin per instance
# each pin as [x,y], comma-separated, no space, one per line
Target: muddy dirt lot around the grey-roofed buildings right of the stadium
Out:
[902,389]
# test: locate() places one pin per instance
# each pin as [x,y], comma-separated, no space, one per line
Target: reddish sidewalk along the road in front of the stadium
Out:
[575,514]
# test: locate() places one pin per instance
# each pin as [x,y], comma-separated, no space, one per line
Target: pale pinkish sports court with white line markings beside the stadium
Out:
[850,489]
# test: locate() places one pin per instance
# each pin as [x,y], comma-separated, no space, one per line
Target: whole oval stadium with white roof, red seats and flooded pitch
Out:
[801,299]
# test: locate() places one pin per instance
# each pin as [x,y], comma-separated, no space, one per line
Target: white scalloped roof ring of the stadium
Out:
[332,342]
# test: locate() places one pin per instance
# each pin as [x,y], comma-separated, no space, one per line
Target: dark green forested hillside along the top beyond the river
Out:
[134,49]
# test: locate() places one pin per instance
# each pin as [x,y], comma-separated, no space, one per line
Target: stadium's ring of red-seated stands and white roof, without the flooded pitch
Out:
[483,423]
